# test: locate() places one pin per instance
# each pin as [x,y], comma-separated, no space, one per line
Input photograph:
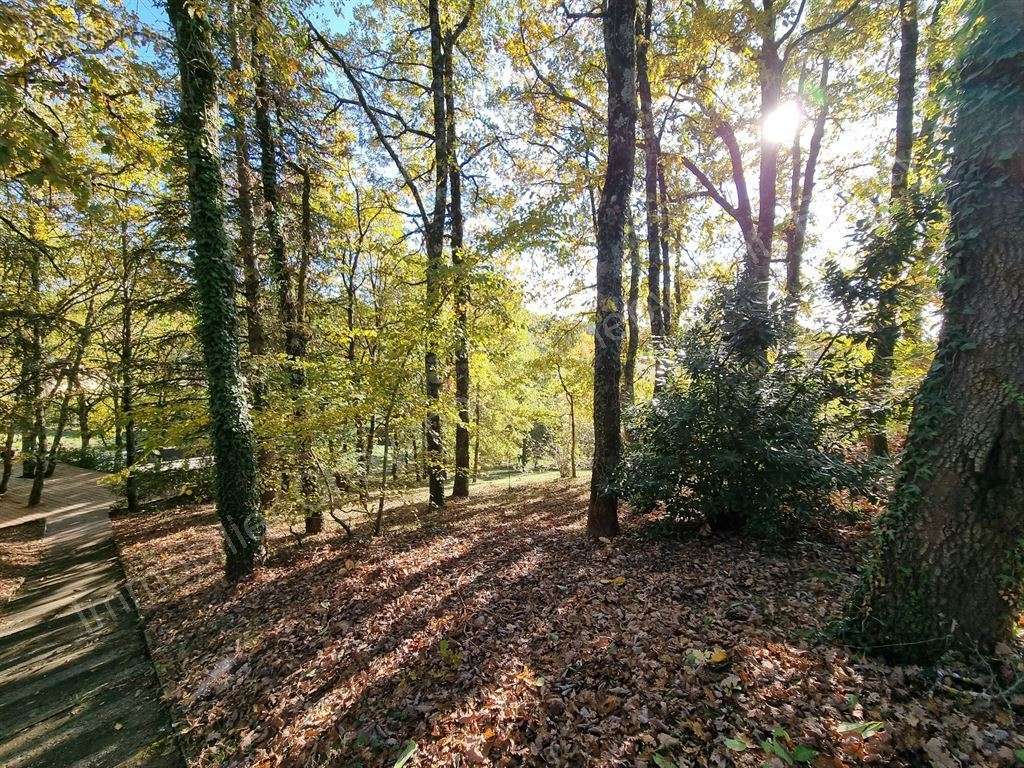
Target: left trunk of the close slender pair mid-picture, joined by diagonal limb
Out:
[434,447]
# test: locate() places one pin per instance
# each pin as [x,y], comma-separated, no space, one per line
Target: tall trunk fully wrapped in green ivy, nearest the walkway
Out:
[238,495]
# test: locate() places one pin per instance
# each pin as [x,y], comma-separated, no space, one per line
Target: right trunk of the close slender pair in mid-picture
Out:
[460,485]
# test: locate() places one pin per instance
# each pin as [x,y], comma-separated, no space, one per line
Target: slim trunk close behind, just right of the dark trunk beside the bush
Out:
[651,154]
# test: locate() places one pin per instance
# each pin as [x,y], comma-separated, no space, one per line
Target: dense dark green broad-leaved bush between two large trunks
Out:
[739,447]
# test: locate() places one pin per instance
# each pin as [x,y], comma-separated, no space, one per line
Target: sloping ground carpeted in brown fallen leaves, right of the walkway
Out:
[497,634]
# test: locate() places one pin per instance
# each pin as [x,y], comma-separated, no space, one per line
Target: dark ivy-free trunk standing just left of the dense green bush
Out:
[619,27]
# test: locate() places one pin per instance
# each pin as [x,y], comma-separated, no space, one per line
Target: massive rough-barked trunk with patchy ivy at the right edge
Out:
[948,569]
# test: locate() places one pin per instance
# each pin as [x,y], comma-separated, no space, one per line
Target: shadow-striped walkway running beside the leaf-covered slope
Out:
[77,687]
